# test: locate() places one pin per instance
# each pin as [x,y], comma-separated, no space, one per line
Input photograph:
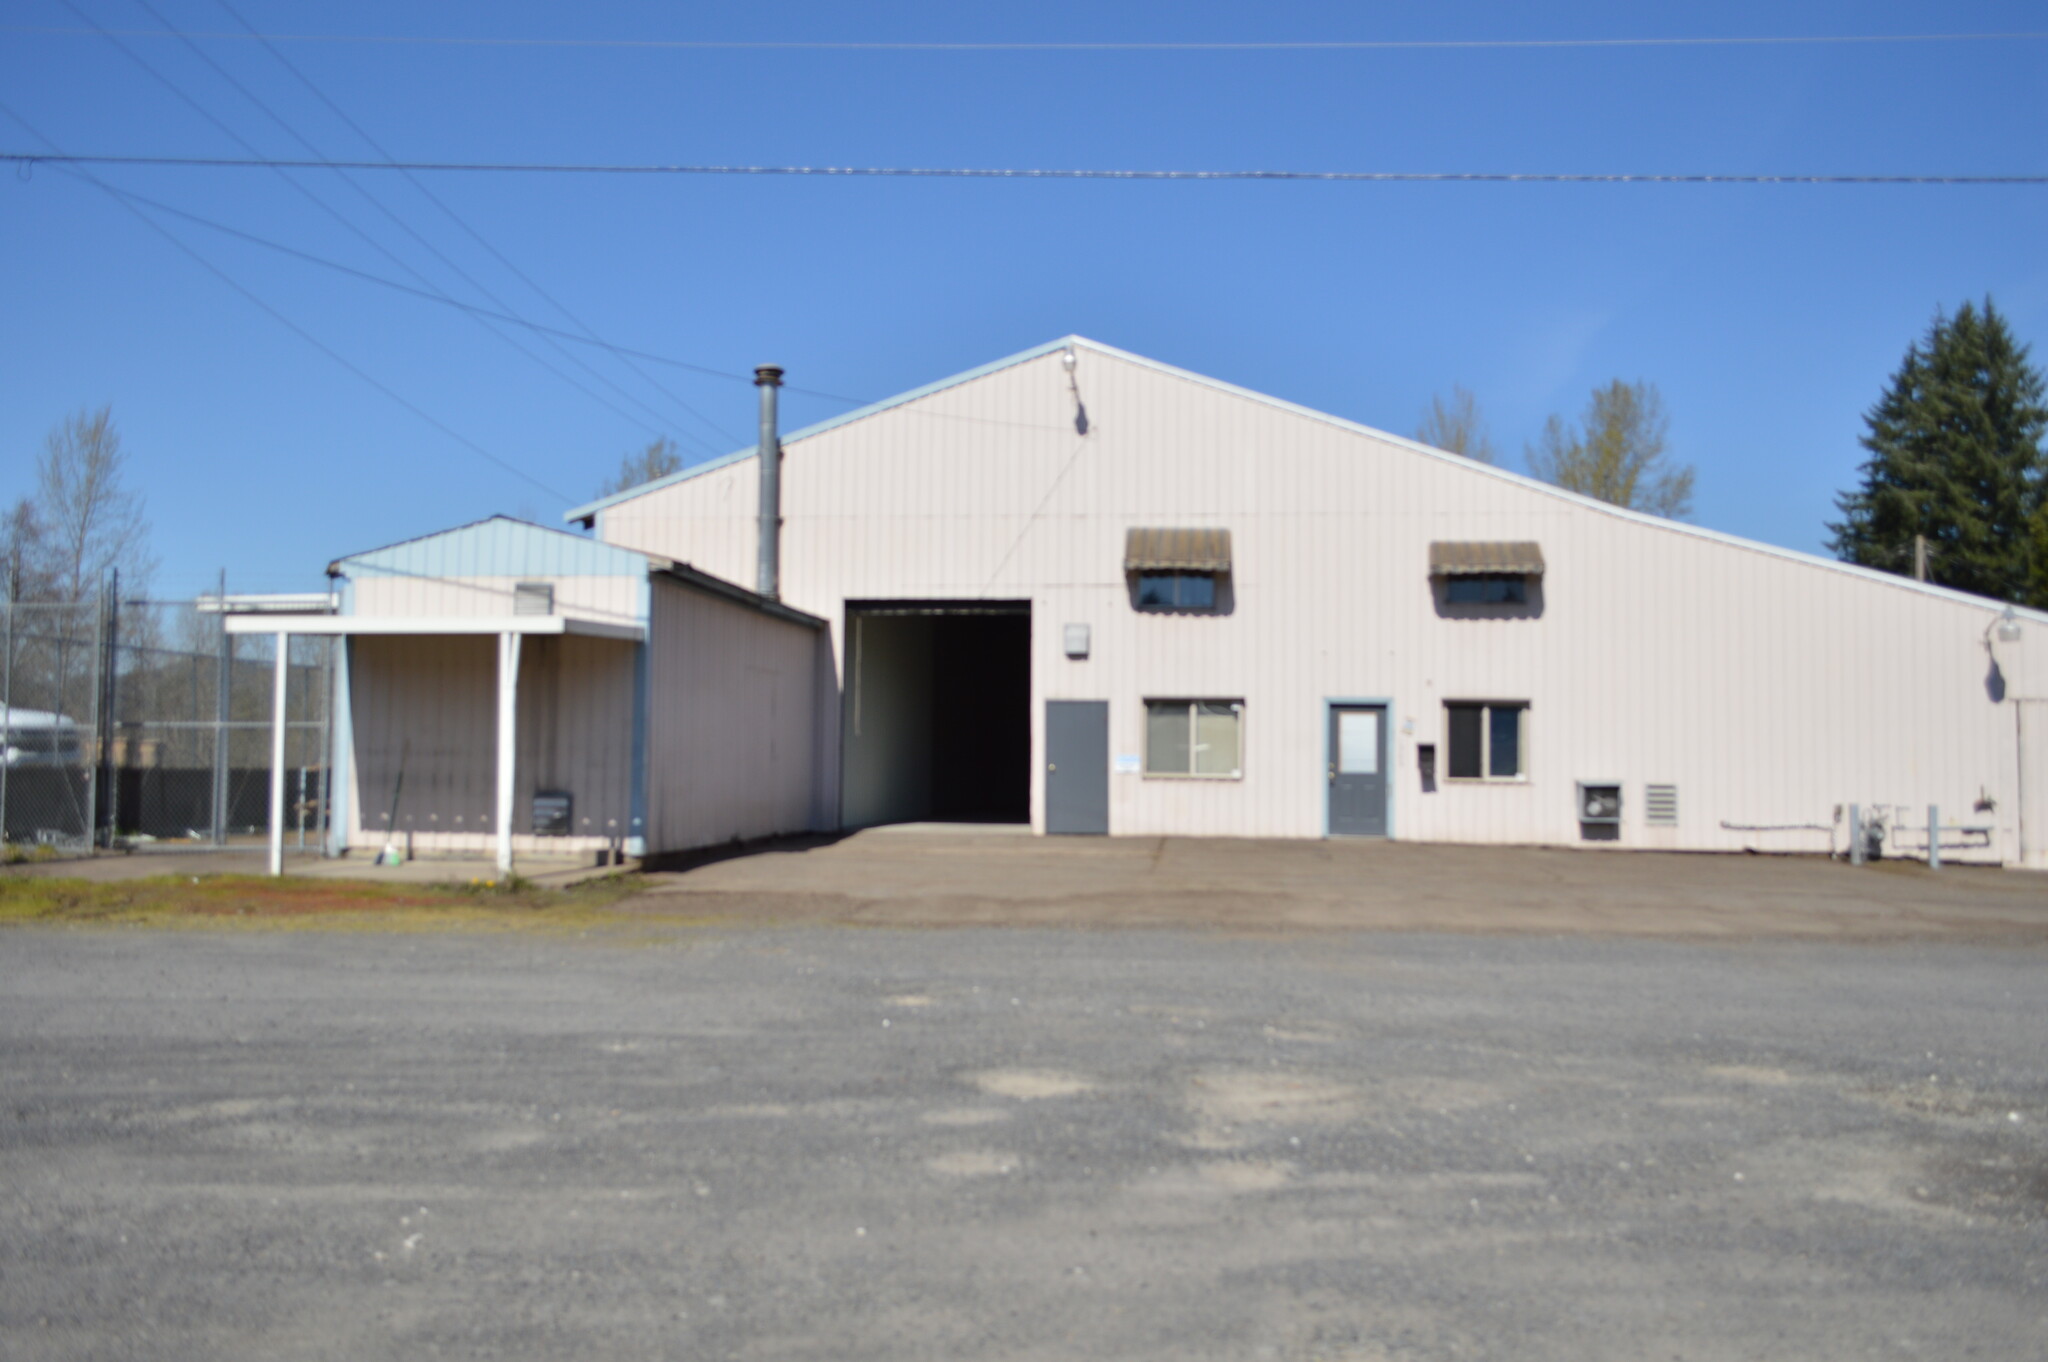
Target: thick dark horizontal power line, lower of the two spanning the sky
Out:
[990,173]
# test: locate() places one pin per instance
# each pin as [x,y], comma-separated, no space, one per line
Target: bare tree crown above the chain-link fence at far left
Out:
[91,519]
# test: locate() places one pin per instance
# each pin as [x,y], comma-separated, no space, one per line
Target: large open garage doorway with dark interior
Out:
[937,712]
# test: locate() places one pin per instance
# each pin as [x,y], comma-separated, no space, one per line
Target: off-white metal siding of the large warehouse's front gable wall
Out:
[1768,689]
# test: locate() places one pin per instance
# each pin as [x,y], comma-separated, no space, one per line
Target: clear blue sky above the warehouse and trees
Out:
[1770,316]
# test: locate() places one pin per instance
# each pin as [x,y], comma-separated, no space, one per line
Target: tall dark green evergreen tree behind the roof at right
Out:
[1957,456]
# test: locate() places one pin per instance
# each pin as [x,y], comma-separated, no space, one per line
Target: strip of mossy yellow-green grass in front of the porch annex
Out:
[312,904]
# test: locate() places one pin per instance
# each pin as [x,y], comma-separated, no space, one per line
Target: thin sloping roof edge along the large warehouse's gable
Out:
[587,515]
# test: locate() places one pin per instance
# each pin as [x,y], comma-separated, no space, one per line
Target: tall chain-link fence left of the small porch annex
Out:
[144,722]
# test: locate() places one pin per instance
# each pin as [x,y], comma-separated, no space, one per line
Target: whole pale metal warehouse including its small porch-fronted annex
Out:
[1095,593]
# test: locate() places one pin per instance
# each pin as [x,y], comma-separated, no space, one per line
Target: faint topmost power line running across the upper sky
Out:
[394,40]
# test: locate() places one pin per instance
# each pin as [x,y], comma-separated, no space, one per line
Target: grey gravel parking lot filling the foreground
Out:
[841,1142]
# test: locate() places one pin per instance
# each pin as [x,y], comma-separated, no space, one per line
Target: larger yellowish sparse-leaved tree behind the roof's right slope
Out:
[1619,454]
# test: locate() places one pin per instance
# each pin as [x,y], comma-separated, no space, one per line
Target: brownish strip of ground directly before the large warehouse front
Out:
[970,878]
